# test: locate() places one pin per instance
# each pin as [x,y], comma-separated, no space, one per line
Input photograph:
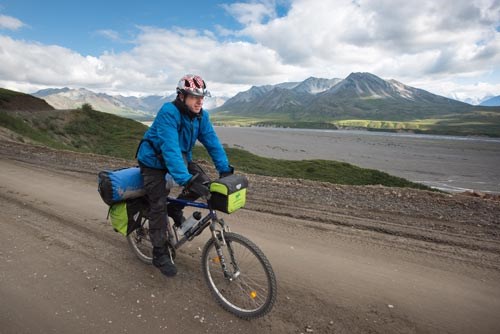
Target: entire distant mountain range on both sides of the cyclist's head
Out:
[358,96]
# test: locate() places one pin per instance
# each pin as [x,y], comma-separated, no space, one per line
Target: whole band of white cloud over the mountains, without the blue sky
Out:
[429,44]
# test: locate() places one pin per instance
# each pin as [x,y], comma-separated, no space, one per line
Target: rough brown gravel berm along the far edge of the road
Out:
[468,220]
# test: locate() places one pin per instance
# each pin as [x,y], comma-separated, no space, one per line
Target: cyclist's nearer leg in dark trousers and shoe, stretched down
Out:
[154,184]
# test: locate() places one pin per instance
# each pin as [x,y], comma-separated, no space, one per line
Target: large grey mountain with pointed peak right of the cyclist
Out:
[358,96]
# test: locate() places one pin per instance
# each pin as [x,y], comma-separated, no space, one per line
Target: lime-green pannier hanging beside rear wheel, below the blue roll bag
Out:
[126,216]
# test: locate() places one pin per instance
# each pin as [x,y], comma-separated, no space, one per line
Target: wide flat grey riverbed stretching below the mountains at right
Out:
[449,163]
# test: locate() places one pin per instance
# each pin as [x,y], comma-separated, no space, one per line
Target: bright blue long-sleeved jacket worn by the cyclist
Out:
[174,134]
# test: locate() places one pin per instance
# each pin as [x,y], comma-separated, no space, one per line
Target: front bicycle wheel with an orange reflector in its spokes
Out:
[251,294]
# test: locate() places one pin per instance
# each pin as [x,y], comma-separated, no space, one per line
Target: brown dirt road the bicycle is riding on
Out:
[63,269]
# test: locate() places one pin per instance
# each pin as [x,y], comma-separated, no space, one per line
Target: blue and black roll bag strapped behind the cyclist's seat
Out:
[118,185]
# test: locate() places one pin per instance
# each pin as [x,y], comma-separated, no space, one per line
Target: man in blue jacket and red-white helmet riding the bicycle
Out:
[167,147]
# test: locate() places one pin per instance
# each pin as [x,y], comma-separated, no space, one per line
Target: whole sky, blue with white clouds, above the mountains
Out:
[447,47]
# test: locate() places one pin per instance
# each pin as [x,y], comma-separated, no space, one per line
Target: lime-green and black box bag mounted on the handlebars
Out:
[229,193]
